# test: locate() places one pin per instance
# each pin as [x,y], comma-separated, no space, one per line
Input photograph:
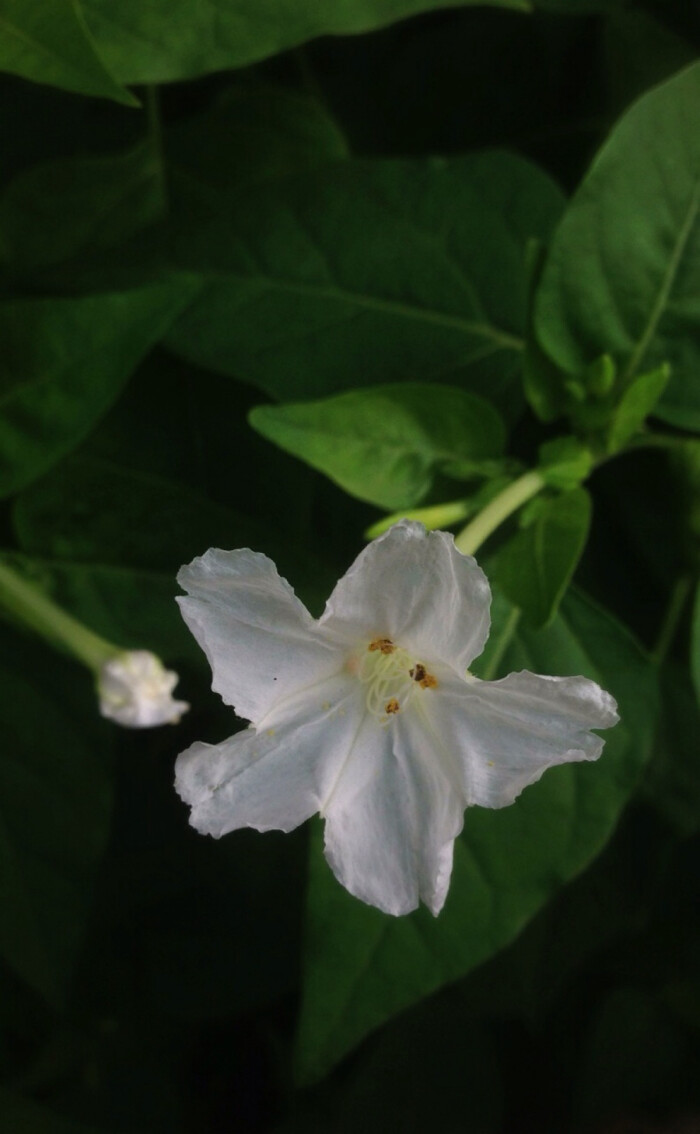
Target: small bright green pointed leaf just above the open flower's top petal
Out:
[385,445]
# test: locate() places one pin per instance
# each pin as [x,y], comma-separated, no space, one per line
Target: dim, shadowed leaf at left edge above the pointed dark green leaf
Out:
[54,213]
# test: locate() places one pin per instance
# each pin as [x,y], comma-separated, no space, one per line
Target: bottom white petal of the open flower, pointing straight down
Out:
[392,823]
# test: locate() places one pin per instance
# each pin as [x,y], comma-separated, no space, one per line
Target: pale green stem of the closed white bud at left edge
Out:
[30,606]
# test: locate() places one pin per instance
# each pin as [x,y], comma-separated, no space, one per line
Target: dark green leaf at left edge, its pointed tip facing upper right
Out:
[64,365]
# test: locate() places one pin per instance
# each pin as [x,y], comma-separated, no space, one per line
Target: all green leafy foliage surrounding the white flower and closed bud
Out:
[372,232]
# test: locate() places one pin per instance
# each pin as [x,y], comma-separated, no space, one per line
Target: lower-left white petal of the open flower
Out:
[274,778]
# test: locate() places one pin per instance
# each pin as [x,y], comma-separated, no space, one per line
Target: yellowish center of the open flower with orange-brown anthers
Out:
[392,678]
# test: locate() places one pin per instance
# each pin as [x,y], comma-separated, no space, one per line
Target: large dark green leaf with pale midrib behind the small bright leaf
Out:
[372,273]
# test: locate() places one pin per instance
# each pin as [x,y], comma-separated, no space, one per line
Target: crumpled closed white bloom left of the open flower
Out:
[134,690]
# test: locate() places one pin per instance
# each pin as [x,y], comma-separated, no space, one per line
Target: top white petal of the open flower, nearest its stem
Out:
[415,588]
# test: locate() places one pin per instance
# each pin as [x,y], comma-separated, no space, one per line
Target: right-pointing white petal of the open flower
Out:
[505,734]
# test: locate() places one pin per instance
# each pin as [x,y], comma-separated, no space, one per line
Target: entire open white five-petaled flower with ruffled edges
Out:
[369,716]
